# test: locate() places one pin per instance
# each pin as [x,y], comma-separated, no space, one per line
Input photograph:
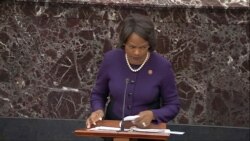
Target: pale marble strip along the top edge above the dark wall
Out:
[160,3]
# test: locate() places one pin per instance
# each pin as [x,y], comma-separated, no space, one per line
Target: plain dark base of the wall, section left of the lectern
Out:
[20,129]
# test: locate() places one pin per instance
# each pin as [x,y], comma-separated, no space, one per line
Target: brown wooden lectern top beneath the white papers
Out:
[123,136]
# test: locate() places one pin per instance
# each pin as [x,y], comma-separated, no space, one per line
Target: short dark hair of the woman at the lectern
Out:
[141,25]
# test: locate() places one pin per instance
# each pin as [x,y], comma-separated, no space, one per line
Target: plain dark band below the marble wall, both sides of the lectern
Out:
[19,129]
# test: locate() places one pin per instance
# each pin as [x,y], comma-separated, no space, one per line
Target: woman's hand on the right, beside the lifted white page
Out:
[145,119]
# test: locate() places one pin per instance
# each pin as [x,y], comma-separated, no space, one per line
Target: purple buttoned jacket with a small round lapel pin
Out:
[151,88]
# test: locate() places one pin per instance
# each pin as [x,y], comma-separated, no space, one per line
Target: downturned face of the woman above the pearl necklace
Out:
[136,49]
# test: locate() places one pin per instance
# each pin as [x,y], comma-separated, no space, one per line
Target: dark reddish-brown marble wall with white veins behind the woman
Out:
[50,52]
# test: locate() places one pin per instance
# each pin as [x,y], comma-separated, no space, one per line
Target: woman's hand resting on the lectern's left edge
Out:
[94,117]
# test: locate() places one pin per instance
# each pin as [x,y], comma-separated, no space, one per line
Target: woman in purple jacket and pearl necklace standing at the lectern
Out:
[151,90]
